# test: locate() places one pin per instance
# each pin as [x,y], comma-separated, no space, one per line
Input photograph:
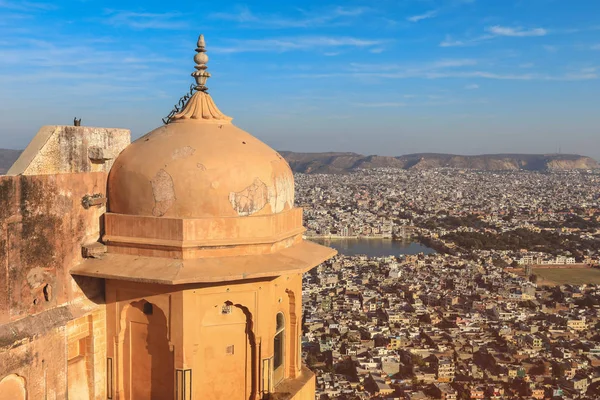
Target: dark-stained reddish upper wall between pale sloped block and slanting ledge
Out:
[42,228]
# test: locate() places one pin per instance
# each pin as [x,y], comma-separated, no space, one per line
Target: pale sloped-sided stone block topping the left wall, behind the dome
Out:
[58,149]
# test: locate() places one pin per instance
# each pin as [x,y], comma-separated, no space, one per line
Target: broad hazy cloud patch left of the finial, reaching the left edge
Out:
[74,68]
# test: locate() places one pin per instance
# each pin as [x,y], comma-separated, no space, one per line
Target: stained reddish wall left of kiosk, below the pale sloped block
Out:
[43,225]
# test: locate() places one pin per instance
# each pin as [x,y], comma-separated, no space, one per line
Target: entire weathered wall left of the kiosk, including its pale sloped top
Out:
[52,201]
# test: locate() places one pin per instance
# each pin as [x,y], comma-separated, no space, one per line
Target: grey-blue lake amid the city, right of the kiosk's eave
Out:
[374,247]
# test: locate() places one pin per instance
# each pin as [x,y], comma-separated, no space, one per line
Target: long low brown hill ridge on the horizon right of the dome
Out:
[335,163]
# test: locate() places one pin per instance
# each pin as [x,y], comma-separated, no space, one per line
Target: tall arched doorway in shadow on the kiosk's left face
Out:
[148,366]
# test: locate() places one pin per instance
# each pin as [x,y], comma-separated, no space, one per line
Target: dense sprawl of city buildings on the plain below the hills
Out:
[507,307]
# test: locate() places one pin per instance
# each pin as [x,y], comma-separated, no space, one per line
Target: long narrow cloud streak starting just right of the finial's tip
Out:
[295,43]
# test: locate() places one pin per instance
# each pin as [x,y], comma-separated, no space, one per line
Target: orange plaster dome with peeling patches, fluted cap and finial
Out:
[199,165]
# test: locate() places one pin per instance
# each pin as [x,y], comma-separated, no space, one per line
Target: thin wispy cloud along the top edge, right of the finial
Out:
[245,17]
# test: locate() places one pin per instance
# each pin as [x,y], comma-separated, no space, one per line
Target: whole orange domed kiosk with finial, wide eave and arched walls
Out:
[204,262]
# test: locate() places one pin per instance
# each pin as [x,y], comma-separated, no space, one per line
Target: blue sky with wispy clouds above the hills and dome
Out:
[377,77]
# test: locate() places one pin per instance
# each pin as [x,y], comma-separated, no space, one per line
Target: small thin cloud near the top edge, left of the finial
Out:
[145,20]
